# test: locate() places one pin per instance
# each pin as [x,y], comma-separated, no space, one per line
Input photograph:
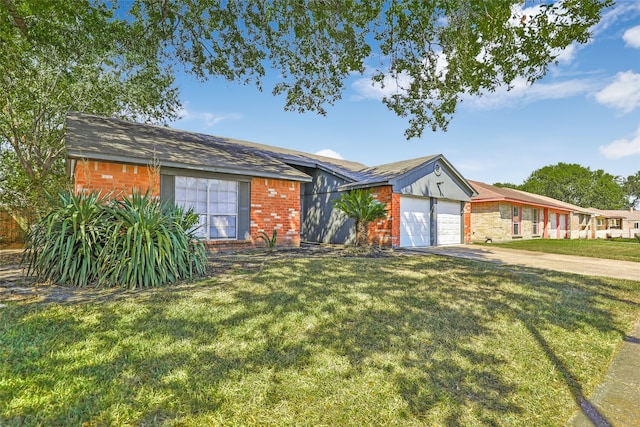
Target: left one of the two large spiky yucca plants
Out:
[64,247]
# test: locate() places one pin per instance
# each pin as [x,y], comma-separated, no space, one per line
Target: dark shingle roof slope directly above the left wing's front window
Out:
[103,138]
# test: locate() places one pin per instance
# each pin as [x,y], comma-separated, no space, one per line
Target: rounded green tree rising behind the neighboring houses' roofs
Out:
[576,184]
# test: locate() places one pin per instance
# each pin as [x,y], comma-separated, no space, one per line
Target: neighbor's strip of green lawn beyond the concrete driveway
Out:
[627,250]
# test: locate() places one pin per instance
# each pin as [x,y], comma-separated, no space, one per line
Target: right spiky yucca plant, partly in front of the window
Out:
[150,245]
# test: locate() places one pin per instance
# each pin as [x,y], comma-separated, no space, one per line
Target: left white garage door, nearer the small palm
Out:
[414,221]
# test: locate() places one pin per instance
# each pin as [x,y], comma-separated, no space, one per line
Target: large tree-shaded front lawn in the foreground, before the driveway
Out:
[406,340]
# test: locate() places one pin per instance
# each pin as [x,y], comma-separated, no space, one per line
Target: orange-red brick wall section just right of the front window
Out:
[275,205]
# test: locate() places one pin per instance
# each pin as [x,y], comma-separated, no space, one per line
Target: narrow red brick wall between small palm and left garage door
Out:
[386,231]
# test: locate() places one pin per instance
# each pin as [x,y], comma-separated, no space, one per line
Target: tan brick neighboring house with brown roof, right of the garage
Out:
[502,214]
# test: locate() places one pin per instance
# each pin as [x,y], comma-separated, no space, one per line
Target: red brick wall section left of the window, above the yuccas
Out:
[119,178]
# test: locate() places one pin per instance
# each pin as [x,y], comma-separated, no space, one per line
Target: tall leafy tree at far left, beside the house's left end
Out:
[64,56]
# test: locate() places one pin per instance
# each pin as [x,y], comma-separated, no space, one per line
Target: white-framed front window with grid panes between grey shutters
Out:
[216,203]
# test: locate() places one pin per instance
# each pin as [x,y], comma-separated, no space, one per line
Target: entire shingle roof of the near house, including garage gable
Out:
[101,138]
